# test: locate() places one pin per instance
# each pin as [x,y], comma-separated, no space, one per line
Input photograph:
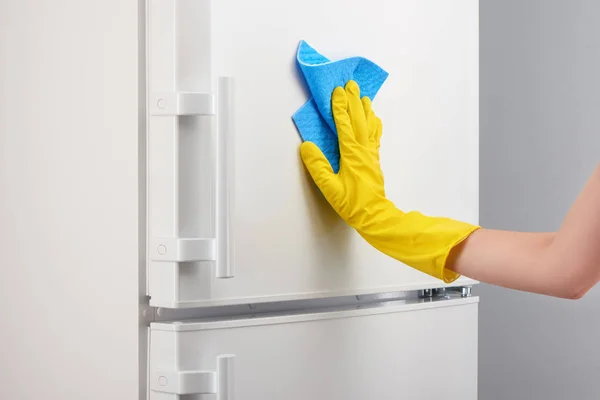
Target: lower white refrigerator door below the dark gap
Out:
[405,350]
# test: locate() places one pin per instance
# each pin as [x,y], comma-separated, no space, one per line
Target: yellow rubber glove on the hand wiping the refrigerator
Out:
[357,192]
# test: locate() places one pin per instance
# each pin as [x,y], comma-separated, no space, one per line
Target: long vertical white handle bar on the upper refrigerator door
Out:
[225,178]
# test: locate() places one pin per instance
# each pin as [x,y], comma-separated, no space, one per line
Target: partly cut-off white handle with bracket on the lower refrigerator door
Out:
[218,382]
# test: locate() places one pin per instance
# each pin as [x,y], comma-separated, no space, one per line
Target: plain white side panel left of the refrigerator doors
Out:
[70,200]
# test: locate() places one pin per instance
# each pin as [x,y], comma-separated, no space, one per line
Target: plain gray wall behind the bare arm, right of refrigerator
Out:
[540,140]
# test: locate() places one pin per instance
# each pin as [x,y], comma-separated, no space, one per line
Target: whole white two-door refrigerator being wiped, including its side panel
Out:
[161,237]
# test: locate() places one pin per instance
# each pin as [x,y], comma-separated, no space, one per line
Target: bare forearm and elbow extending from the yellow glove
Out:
[561,264]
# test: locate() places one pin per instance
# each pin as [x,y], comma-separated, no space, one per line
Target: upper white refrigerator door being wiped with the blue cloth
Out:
[260,230]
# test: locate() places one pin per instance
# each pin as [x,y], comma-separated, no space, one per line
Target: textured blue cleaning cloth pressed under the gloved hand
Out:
[314,120]
